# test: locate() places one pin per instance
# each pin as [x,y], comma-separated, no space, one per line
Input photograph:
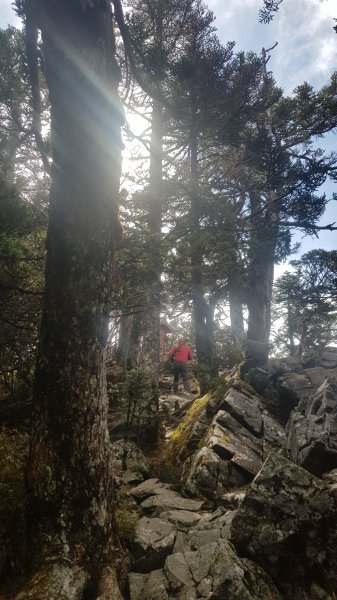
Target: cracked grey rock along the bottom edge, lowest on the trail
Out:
[214,571]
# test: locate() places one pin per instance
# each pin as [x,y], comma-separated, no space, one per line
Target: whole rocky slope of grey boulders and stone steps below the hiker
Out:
[255,513]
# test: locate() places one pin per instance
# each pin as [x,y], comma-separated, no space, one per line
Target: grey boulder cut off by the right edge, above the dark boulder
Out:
[312,431]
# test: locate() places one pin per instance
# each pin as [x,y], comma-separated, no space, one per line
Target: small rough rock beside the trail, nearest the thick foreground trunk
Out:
[136,464]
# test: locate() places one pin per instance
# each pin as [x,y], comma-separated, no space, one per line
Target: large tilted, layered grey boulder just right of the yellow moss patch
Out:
[235,447]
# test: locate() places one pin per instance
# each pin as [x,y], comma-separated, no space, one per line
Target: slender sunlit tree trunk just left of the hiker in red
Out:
[150,357]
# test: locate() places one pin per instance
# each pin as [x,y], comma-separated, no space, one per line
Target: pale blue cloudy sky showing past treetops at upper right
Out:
[306,51]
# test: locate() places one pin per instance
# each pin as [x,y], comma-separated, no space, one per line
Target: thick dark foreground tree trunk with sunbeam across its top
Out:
[70,478]
